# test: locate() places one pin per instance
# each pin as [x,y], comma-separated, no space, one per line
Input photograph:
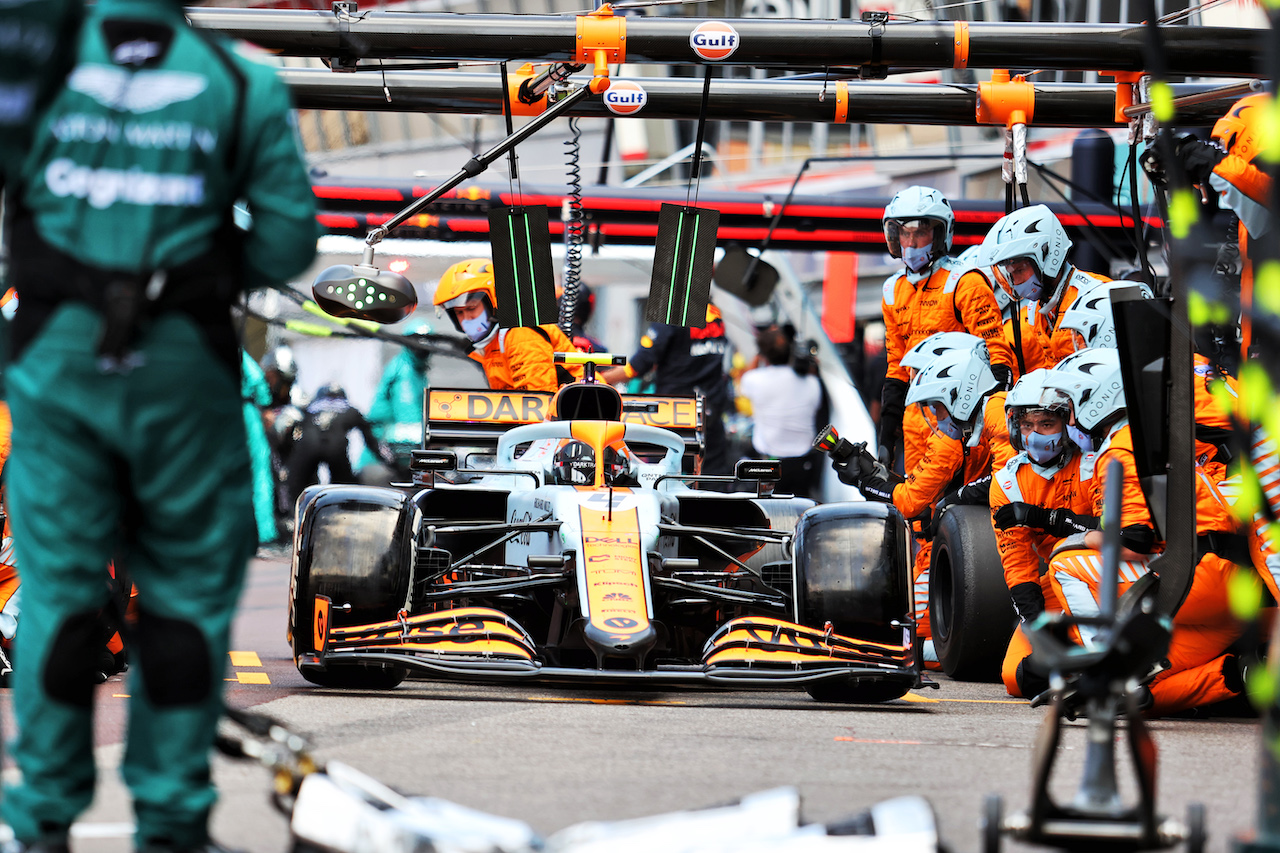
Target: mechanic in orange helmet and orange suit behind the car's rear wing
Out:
[519,359]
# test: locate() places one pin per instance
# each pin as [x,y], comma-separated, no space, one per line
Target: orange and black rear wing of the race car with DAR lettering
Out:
[467,418]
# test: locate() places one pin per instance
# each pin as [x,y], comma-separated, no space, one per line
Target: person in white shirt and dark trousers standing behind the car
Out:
[785,405]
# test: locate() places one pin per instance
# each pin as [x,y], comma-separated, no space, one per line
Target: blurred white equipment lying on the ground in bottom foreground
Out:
[339,809]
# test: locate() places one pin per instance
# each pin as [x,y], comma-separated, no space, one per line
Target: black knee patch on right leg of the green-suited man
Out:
[173,656]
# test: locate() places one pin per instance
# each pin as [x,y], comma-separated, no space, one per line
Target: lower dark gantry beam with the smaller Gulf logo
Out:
[739,101]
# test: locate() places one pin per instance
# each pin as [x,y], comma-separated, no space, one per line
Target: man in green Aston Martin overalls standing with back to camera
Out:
[126,298]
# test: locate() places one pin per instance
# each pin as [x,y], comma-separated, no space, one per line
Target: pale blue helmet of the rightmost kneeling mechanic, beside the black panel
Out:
[1090,382]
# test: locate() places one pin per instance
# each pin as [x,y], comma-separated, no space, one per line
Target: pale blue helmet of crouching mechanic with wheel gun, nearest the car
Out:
[958,382]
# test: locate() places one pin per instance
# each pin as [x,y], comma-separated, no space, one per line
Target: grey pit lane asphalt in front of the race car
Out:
[555,758]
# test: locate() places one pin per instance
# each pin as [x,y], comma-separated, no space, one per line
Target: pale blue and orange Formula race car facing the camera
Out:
[566,540]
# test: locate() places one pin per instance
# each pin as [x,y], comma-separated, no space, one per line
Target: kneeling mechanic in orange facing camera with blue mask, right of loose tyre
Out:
[1043,495]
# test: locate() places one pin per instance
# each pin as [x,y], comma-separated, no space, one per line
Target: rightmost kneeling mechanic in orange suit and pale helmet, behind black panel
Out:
[1199,670]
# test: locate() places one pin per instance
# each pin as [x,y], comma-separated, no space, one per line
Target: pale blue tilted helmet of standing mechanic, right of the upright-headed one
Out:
[1030,236]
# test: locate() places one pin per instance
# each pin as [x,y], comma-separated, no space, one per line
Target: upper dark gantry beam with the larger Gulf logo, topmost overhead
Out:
[894,47]
